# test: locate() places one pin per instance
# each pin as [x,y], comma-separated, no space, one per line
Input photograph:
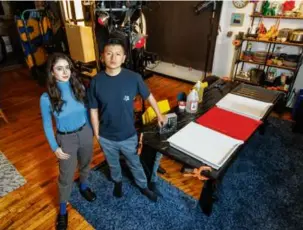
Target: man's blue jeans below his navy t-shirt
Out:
[128,148]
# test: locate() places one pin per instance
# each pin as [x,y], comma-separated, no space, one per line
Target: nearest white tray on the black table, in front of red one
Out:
[209,146]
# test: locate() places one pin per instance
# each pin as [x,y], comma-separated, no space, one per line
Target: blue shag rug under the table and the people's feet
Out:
[263,189]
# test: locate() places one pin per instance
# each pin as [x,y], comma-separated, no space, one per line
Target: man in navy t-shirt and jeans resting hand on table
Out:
[111,96]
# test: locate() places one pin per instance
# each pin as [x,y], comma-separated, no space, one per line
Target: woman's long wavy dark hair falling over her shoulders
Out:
[53,91]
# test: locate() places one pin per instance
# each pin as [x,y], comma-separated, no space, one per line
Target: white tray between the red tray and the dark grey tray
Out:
[244,106]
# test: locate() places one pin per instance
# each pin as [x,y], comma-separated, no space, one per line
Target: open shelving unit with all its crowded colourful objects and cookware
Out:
[276,67]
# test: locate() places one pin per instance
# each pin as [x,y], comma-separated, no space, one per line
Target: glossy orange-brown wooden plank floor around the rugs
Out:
[34,206]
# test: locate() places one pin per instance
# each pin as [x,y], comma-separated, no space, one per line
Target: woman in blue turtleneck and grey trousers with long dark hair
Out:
[64,100]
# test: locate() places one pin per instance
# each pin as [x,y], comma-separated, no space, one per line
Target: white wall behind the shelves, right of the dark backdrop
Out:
[224,49]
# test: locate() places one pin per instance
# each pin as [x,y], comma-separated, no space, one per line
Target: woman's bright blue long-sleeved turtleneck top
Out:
[73,114]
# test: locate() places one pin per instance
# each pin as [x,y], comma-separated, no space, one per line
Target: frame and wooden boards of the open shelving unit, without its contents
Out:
[239,63]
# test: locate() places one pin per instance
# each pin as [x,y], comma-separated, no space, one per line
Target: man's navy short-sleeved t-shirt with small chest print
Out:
[113,96]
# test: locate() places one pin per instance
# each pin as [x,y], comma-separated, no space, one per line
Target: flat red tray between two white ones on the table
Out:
[229,123]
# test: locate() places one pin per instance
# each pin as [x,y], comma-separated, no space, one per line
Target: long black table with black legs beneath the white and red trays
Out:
[154,142]
